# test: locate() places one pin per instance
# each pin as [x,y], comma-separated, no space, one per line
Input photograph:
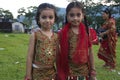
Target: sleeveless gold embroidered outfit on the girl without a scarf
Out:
[45,57]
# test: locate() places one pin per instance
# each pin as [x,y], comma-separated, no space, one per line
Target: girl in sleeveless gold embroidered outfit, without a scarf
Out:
[42,50]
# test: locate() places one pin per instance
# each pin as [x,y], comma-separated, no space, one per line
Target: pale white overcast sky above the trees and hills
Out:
[14,5]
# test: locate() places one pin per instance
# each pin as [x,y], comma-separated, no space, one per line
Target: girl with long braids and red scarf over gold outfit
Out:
[75,61]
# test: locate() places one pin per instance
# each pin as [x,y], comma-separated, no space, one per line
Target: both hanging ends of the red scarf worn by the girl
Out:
[80,54]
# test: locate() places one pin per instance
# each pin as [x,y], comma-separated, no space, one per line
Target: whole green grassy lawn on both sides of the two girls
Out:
[13,50]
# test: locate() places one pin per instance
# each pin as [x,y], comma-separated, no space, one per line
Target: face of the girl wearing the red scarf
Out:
[75,16]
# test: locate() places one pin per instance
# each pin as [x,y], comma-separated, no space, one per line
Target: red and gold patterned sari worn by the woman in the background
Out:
[108,46]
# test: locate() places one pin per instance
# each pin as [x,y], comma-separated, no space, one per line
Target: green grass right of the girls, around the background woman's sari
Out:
[102,73]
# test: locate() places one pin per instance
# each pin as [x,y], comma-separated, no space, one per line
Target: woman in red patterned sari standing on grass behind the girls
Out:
[108,42]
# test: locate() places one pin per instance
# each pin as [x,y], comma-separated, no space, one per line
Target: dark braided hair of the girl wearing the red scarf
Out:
[79,5]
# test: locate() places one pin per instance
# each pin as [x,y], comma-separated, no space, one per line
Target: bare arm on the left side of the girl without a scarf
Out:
[30,57]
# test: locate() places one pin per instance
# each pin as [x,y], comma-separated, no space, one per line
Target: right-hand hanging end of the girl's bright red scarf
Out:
[81,53]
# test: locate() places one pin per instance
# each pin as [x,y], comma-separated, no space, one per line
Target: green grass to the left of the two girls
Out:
[13,57]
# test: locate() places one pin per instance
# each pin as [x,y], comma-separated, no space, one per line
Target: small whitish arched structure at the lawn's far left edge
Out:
[17,27]
